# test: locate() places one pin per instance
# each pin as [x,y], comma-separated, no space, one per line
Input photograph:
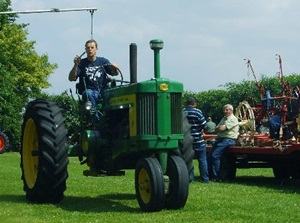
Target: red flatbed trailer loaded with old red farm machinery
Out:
[268,134]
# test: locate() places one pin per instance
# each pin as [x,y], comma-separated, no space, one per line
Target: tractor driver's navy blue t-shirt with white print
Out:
[93,72]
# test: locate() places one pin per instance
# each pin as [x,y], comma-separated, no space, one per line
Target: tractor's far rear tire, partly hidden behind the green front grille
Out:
[186,150]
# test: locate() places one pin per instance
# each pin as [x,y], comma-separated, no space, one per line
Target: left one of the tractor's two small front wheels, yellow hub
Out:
[149,185]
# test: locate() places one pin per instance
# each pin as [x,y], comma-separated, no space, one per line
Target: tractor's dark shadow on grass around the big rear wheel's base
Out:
[104,203]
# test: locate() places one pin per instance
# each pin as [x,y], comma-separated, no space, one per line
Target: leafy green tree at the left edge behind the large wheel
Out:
[23,73]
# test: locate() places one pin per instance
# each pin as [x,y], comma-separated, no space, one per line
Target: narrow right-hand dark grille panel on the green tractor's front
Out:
[176,113]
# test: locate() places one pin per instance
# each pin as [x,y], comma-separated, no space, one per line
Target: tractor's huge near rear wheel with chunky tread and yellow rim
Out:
[44,156]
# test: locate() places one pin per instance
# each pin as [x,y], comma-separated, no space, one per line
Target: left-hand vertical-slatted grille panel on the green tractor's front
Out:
[146,114]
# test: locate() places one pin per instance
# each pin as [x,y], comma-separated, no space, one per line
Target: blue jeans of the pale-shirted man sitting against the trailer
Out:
[220,146]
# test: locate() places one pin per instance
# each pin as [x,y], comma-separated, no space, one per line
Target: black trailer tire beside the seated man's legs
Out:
[227,167]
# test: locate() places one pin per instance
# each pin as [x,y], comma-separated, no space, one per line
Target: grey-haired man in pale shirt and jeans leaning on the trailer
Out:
[227,132]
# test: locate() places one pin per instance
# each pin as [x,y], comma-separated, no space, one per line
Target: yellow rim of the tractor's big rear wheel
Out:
[30,162]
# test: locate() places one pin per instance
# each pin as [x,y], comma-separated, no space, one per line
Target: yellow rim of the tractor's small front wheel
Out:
[144,186]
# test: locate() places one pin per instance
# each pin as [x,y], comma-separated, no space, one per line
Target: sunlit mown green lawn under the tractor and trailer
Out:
[255,196]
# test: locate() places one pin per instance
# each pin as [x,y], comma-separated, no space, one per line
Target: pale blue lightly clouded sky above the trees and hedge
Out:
[205,42]
